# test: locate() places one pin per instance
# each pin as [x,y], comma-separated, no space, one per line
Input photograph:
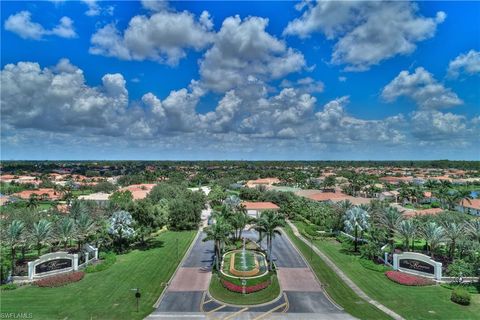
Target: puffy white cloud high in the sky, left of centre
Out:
[162,37]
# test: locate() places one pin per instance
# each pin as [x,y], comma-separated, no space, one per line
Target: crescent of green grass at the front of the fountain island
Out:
[218,291]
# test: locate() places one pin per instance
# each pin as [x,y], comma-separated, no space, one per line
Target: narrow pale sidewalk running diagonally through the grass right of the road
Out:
[345,278]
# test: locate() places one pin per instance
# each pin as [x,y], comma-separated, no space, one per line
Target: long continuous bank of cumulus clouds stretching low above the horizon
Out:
[58,105]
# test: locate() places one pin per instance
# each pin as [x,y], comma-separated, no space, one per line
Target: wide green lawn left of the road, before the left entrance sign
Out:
[106,294]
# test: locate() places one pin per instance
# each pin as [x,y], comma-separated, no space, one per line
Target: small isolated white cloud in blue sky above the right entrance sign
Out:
[422,87]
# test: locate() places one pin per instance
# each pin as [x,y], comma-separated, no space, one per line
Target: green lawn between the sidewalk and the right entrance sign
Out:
[432,302]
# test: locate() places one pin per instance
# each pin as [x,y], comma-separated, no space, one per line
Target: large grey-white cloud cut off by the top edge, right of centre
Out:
[366,32]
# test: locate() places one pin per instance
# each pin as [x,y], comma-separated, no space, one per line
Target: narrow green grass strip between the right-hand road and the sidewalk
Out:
[335,287]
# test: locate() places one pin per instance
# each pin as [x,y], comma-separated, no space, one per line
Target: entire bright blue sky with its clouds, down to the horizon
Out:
[240,80]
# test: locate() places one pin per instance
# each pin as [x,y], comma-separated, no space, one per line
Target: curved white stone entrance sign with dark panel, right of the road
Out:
[418,263]
